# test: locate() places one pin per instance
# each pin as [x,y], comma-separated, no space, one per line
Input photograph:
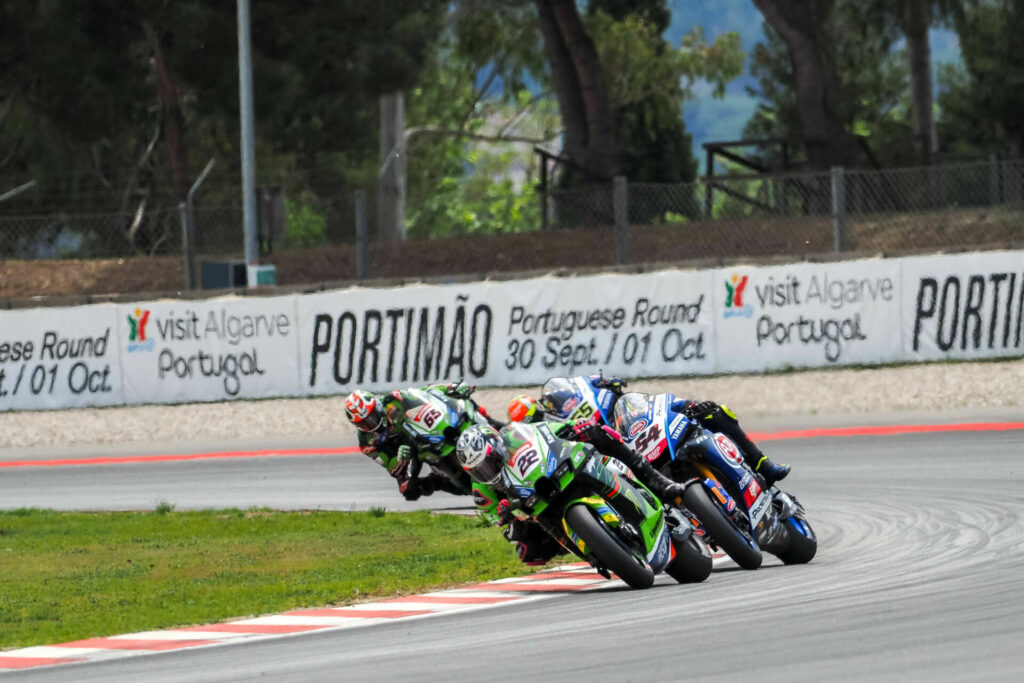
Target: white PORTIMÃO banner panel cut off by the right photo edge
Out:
[964,307]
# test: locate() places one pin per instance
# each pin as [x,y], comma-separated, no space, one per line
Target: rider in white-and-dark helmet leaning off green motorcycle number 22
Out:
[483,453]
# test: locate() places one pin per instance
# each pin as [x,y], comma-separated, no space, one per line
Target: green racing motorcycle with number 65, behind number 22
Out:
[436,420]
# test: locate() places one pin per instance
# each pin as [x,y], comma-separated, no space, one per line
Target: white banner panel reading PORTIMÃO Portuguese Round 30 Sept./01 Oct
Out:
[507,333]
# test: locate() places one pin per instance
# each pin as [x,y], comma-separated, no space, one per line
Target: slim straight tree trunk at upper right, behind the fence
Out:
[916,21]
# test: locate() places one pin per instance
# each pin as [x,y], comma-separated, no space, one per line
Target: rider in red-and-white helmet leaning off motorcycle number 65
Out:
[378,419]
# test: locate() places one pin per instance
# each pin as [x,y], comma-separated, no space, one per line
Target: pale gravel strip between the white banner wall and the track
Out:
[941,389]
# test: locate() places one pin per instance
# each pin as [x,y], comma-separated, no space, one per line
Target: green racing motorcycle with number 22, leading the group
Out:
[559,484]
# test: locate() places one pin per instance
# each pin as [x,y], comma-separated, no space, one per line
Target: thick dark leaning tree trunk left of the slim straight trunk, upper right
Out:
[801,25]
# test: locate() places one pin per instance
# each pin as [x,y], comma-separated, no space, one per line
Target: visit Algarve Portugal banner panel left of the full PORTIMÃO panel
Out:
[178,352]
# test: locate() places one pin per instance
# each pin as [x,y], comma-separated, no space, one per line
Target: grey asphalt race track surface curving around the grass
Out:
[918,577]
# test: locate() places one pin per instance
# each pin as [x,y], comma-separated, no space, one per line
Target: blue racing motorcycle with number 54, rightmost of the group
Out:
[733,510]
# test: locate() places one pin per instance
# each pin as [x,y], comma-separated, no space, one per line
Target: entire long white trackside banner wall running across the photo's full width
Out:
[671,323]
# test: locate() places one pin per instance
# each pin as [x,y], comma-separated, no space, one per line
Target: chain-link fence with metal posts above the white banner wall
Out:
[973,205]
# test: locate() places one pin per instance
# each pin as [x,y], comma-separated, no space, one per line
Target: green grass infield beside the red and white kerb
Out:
[71,576]
